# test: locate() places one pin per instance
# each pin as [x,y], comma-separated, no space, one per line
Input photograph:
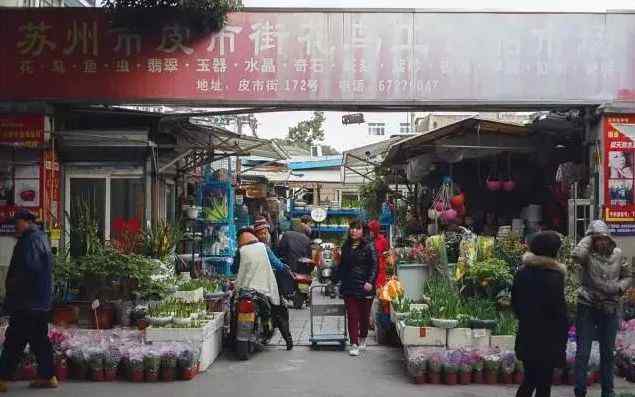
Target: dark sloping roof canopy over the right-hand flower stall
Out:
[472,137]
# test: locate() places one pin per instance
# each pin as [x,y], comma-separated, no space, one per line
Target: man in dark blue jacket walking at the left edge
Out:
[28,301]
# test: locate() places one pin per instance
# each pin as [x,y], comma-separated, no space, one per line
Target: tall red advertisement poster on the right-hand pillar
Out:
[619,178]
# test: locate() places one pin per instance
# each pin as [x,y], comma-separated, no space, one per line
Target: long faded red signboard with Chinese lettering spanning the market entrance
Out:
[319,57]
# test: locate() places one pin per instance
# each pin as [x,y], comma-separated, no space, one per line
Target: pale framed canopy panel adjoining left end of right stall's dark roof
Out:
[358,165]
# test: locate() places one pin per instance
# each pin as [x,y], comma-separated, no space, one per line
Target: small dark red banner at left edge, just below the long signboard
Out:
[22,130]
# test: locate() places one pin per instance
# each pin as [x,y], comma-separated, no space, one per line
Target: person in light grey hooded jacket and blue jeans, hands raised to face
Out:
[606,275]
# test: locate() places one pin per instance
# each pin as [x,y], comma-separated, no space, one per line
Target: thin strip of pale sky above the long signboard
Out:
[518,5]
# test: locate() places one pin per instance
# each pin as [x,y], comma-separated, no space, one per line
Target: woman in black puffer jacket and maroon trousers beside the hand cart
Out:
[357,271]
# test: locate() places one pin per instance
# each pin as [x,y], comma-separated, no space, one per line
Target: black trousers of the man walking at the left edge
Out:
[27,327]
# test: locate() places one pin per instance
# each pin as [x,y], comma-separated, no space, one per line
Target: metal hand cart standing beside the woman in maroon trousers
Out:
[323,306]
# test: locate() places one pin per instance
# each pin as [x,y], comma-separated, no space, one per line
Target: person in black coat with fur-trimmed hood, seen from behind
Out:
[539,303]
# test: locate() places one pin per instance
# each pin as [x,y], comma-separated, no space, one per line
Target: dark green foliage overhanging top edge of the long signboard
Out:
[199,16]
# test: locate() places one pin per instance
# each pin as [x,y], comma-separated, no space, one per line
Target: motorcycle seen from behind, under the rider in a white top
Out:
[252,322]
